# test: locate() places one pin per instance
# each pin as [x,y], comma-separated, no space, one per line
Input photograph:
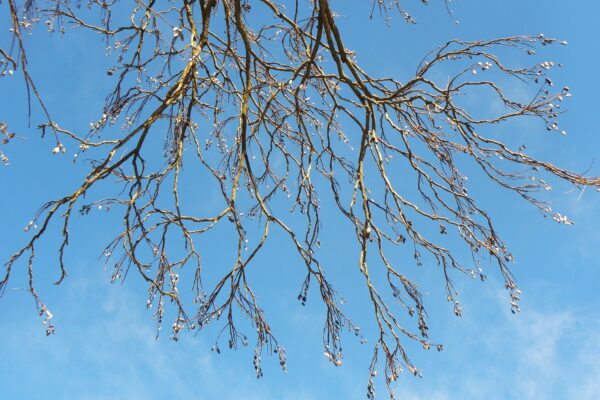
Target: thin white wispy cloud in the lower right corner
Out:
[539,354]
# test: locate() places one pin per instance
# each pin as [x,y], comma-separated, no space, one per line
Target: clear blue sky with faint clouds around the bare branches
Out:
[104,347]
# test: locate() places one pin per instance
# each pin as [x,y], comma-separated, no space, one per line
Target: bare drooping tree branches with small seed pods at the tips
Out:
[287,123]
